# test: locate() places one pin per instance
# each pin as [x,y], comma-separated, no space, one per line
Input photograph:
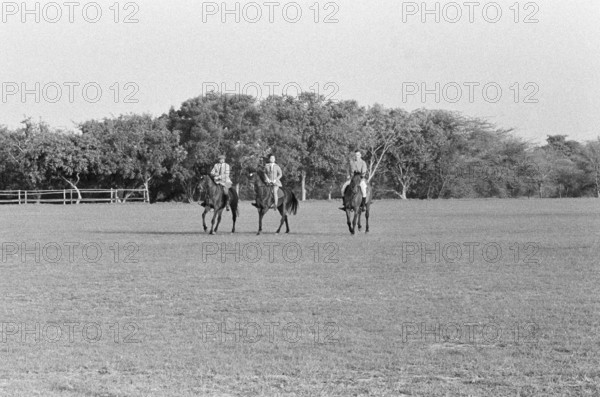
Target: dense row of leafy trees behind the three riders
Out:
[419,154]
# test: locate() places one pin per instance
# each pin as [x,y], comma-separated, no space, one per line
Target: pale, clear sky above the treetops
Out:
[530,66]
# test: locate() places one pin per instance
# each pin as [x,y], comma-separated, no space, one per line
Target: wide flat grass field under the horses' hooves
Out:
[141,302]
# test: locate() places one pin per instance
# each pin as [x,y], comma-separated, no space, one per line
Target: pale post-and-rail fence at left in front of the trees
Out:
[70,196]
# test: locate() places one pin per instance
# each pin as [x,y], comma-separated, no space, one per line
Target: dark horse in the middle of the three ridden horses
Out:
[264,200]
